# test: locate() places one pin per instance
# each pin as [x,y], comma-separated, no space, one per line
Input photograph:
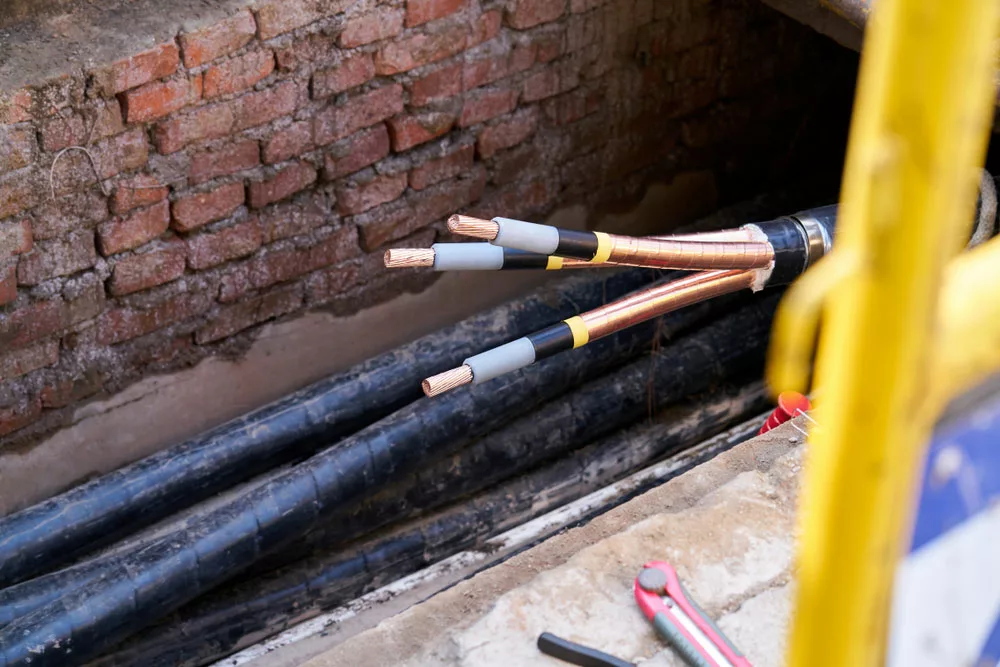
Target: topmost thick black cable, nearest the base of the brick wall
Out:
[53,532]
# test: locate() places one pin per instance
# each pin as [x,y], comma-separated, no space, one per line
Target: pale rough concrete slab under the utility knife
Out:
[728,527]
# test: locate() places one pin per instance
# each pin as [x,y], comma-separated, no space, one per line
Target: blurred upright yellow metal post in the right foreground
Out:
[919,131]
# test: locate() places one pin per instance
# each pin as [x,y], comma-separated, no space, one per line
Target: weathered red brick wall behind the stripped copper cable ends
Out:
[256,168]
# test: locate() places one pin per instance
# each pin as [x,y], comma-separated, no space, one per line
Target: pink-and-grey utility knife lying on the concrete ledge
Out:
[681,622]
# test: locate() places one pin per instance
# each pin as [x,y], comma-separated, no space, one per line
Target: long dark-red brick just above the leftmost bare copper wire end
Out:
[380,226]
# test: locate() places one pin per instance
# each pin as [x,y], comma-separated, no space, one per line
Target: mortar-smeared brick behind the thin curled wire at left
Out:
[125,152]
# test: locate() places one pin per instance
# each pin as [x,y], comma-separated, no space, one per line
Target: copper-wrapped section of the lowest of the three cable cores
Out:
[661,299]
